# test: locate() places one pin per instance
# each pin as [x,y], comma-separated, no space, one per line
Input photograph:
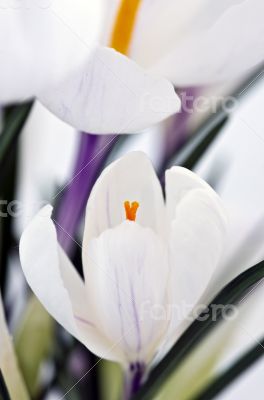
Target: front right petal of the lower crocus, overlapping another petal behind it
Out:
[197,237]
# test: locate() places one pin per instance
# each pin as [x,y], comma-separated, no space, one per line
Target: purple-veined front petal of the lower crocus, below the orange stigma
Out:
[126,278]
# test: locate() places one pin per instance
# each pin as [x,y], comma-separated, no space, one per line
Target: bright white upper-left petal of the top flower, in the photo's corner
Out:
[47,40]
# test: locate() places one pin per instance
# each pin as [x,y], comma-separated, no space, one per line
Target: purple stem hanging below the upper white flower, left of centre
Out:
[91,157]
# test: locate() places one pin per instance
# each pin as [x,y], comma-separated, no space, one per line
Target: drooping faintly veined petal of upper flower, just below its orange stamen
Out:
[110,93]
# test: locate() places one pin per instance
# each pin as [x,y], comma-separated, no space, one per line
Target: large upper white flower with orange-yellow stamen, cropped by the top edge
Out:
[99,90]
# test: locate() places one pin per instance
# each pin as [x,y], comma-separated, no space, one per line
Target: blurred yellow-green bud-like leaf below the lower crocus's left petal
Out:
[33,342]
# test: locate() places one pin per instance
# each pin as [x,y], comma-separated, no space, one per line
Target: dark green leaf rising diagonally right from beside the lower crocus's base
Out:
[231,294]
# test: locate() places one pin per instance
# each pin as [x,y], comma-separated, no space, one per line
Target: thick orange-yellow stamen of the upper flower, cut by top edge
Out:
[124,24]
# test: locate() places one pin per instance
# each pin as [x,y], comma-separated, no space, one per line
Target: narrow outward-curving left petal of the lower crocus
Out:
[40,263]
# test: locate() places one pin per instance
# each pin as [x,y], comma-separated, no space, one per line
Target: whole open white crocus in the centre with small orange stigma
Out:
[139,257]
